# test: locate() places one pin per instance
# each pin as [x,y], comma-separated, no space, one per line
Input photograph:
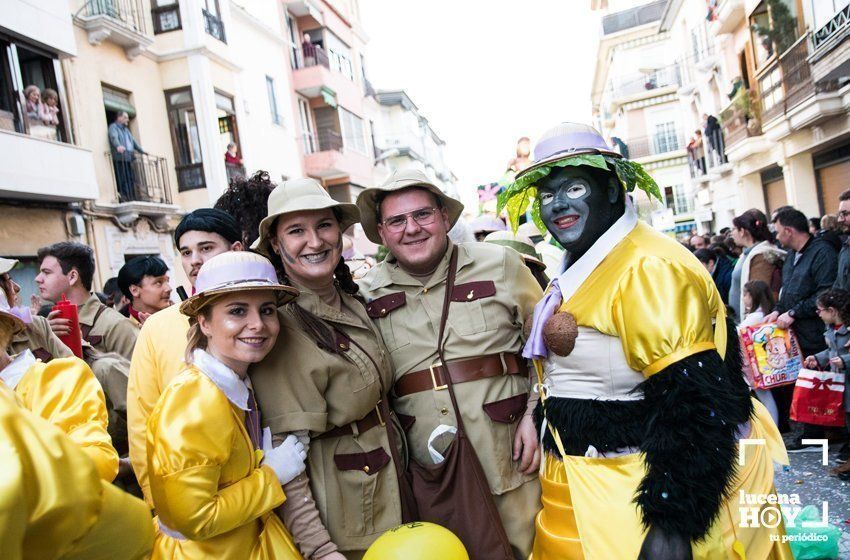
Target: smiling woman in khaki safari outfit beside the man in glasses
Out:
[328,377]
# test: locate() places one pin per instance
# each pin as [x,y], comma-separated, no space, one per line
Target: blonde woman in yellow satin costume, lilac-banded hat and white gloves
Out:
[213,487]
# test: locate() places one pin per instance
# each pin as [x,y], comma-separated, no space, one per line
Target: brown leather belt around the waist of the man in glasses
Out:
[462,371]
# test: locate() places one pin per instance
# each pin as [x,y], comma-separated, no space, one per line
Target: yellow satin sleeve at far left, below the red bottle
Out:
[66,393]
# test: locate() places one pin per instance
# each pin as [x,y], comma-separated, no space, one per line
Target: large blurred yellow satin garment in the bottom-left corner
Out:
[52,502]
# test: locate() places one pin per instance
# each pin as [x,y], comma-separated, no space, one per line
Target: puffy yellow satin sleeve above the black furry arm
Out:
[663,312]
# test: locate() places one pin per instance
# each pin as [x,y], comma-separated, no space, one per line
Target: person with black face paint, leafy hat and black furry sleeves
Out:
[641,418]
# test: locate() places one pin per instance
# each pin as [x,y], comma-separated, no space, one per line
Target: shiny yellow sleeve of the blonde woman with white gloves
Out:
[191,433]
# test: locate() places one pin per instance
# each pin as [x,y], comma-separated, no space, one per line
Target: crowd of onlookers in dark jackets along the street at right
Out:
[794,271]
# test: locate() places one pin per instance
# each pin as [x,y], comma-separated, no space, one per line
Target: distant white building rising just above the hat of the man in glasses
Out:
[404,139]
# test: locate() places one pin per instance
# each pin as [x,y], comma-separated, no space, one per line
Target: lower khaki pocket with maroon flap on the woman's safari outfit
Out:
[363,478]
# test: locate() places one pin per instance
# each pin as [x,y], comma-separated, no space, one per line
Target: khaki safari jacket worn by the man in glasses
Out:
[493,293]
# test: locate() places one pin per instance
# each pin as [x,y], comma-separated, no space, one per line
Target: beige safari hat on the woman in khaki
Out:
[299,195]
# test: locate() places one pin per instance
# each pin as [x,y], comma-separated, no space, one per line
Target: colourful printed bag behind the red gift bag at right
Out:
[772,354]
